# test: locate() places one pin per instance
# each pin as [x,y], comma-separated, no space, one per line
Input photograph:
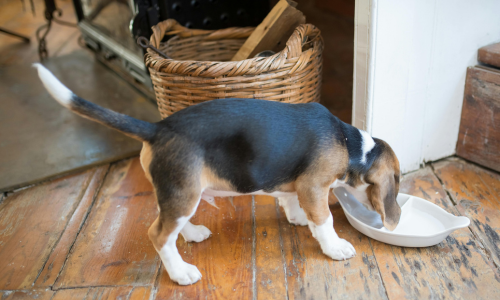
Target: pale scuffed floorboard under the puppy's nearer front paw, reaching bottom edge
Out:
[312,275]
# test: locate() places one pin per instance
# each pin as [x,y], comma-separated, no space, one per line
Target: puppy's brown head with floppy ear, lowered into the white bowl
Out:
[383,185]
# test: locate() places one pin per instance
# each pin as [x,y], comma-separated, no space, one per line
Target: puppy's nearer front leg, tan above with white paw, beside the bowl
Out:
[314,201]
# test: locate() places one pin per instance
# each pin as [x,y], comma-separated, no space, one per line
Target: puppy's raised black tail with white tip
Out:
[135,128]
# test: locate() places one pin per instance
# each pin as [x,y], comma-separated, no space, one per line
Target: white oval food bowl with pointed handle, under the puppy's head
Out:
[422,223]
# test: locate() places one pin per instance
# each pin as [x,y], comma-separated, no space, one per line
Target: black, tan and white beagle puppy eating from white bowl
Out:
[230,147]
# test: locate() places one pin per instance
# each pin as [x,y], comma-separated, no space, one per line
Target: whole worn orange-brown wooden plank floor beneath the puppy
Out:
[84,236]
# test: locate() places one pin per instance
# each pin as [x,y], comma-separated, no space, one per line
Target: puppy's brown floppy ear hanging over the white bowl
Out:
[382,193]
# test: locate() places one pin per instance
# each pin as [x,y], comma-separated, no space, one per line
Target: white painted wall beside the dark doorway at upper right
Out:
[410,63]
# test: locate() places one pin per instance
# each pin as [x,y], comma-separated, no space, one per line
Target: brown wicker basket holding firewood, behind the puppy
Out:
[201,70]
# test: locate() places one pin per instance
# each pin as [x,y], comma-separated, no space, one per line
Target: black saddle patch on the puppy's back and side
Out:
[254,144]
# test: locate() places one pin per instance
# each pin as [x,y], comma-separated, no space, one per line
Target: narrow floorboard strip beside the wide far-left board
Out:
[54,264]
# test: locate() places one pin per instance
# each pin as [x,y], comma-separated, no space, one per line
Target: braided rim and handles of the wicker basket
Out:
[292,55]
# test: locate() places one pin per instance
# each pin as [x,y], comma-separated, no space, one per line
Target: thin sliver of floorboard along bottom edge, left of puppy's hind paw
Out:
[104,293]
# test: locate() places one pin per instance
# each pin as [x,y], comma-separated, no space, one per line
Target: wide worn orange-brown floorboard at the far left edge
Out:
[31,222]
